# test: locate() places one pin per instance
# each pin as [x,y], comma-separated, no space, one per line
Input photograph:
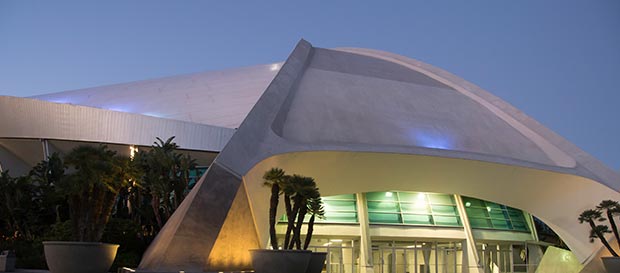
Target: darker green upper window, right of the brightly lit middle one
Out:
[489,215]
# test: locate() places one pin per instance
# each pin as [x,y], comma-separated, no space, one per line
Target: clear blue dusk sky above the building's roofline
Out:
[557,61]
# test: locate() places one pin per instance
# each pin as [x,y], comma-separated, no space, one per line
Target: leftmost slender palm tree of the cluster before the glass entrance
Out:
[274,179]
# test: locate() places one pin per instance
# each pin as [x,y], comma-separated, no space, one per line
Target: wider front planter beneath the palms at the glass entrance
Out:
[280,261]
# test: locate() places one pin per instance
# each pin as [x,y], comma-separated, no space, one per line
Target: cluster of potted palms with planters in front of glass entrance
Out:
[301,196]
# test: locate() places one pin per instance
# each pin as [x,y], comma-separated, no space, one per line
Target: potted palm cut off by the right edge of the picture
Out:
[591,217]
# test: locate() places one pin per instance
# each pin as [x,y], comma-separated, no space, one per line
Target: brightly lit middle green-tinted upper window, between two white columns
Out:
[412,208]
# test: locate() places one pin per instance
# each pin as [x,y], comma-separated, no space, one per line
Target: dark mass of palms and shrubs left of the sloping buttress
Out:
[92,184]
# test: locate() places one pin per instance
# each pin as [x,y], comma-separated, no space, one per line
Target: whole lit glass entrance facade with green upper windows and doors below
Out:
[417,253]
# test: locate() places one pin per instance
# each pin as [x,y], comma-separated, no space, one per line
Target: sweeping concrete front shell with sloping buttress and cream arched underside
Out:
[360,120]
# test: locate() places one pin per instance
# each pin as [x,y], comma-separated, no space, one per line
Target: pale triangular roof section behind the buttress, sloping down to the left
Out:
[218,98]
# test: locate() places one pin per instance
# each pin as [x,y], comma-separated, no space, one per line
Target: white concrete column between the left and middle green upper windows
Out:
[366,265]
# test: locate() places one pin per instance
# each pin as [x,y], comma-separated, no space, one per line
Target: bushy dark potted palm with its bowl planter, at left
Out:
[93,179]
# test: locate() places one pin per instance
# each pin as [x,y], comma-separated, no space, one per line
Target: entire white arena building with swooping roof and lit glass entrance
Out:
[420,171]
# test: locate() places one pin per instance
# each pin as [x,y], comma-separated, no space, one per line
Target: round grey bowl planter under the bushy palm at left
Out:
[79,257]
